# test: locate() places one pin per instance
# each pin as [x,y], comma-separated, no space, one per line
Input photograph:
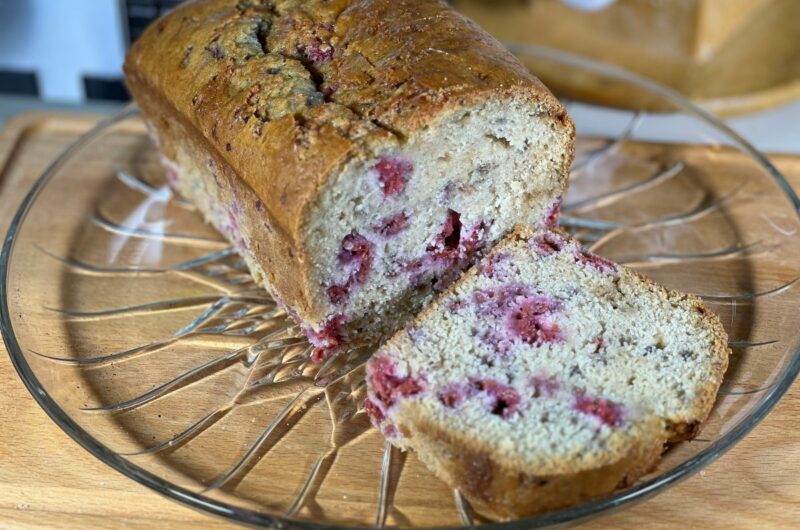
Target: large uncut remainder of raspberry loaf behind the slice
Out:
[358,154]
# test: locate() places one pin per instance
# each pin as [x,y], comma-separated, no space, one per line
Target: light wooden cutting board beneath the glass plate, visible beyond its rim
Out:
[48,481]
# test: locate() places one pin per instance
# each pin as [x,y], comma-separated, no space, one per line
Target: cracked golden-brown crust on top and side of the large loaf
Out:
[281,94]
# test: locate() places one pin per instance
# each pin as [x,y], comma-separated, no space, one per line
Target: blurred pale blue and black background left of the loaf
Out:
[70,50]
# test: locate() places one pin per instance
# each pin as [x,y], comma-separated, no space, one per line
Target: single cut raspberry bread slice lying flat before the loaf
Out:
[546,376]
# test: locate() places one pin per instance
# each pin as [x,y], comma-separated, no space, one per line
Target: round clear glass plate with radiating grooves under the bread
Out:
[141,334]
